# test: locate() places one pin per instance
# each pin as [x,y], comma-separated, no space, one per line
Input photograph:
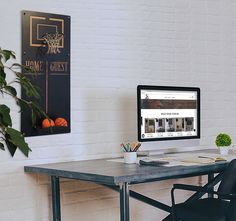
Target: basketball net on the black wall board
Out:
[53,42]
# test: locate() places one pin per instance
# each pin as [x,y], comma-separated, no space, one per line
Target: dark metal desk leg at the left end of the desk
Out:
[56,206]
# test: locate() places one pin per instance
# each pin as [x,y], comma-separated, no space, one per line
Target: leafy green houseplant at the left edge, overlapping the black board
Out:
[11,138]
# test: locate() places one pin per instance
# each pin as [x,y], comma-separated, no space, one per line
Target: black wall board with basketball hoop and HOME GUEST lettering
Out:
[46,50]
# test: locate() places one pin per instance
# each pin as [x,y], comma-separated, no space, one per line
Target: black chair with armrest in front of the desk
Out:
[222,208]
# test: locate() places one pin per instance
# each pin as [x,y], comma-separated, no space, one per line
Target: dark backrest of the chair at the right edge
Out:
[228,182]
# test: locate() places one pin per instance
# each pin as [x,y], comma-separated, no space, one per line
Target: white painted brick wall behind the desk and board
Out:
[116,45]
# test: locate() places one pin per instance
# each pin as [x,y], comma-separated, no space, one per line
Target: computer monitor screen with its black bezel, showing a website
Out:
[168,113]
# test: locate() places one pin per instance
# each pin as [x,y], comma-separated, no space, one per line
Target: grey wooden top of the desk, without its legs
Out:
[114,173]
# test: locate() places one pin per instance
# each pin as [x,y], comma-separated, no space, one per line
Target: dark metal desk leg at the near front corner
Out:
[124,202]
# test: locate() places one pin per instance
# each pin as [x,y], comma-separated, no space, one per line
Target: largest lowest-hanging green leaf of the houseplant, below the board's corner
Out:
[16,138]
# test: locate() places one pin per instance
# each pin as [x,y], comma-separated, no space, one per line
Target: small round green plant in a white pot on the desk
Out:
[223,142]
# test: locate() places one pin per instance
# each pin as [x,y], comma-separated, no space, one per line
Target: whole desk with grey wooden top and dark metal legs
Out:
[119,176]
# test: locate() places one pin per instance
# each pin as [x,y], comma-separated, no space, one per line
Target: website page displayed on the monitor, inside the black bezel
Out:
[168,114]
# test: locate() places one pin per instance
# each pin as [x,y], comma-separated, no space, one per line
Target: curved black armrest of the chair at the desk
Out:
[203,190]
